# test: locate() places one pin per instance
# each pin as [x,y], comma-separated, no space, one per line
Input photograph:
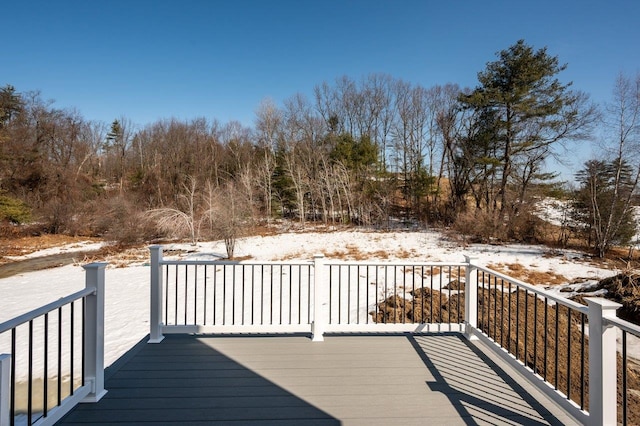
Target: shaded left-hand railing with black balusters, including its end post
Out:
[55,356]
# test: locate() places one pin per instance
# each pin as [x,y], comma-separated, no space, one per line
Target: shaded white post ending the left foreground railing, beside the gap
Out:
[94,330]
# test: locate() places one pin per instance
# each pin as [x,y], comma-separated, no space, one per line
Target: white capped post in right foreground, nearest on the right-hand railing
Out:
[602,362]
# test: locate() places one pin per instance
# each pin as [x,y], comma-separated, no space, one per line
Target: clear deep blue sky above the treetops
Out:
[152,59]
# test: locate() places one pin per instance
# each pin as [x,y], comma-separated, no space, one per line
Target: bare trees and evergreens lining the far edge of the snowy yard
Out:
[368,152]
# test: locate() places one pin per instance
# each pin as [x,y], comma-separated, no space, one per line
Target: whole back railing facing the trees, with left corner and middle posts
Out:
[306,296]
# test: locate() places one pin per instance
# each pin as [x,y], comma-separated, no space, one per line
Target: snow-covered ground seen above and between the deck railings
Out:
[127,289]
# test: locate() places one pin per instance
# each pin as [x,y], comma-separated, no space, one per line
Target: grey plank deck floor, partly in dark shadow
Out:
[434,379]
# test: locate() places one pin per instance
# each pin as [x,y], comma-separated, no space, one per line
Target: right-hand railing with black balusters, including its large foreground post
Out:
[569,347]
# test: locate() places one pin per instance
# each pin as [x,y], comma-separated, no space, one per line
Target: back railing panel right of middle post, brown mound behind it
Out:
[393,296]
